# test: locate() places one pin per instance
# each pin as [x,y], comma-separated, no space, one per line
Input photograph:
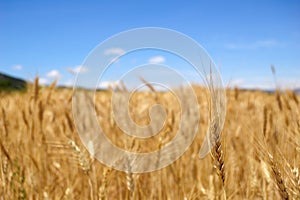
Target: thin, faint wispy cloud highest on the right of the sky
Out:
[254,45]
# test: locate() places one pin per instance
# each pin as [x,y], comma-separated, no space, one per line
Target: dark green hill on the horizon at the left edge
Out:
[11,83]
